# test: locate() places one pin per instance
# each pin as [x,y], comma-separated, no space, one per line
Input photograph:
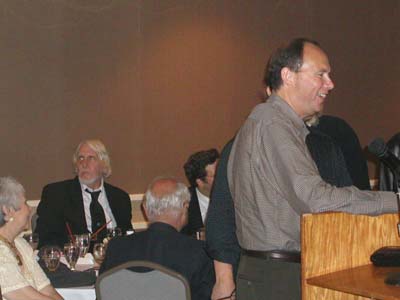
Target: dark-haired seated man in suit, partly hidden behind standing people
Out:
[200,171]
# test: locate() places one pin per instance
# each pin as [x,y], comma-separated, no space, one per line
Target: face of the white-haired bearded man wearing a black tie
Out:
[89,167]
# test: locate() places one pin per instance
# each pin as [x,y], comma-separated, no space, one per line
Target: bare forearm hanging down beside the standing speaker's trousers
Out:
[224,287]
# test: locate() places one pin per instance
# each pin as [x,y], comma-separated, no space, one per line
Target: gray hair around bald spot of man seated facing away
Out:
[171,202]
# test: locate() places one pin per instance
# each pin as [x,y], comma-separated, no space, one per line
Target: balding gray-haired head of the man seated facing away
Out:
[166,200]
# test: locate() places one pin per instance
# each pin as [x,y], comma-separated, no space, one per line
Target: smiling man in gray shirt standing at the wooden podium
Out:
[274,180]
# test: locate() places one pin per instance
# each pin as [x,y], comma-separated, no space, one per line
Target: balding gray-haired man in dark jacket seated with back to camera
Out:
[166,205]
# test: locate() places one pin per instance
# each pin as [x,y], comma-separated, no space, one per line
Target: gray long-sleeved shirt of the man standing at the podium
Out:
[274,180]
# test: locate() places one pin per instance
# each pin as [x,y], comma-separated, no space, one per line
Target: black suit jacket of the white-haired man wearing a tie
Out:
[62,202]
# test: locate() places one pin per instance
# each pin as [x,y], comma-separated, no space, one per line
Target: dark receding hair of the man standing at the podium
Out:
[290,56]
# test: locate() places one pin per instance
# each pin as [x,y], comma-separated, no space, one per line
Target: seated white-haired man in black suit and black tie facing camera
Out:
[86,203]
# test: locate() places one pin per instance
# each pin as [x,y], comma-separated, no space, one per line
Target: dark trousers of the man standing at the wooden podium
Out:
[263,279]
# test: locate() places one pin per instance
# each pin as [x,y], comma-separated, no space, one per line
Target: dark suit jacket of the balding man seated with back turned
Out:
[163,244]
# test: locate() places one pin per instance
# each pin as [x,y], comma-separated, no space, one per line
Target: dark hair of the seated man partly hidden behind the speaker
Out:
[195,166]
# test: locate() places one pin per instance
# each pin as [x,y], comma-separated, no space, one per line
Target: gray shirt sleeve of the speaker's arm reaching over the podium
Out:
[297,179]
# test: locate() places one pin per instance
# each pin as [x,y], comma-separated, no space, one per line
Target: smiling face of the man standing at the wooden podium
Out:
[312,82]
